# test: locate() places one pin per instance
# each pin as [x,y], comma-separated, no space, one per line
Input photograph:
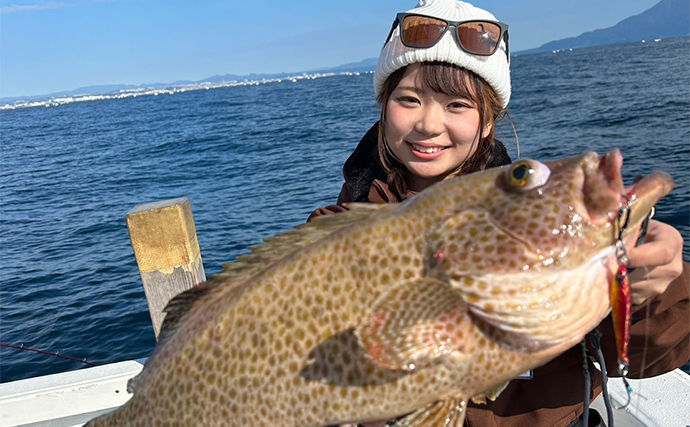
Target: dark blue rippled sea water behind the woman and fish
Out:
[256,160]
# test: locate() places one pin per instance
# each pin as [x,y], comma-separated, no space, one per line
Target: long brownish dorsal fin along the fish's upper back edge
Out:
[237,273]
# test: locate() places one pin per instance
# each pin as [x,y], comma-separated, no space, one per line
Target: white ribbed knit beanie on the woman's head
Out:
[495,69]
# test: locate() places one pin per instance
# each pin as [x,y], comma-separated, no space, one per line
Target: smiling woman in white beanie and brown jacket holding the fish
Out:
[442,87]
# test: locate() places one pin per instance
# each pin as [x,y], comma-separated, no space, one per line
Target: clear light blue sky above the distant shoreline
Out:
[48,46]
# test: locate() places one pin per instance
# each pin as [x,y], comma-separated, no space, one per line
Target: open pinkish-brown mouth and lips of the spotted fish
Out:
[606,195]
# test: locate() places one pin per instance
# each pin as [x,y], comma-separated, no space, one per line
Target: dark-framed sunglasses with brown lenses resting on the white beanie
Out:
[477,37]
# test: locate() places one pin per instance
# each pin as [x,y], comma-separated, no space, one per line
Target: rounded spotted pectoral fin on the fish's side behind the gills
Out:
[413,324]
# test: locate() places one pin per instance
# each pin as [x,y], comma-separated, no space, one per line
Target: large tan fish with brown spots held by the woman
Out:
[410,308]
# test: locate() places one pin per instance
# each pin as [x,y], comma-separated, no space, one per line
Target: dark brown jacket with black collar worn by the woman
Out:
[554,396]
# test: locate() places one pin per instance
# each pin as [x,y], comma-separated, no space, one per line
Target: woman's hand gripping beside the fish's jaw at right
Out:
[657,262]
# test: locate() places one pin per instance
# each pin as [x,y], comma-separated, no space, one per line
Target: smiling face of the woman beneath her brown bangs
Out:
[429,132]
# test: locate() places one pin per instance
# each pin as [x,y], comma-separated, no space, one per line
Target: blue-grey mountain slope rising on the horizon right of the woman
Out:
[667,19]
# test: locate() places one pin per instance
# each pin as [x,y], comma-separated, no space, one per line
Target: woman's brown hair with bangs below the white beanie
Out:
[450,80]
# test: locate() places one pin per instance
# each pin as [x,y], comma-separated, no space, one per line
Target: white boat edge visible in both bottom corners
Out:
[72,398]
